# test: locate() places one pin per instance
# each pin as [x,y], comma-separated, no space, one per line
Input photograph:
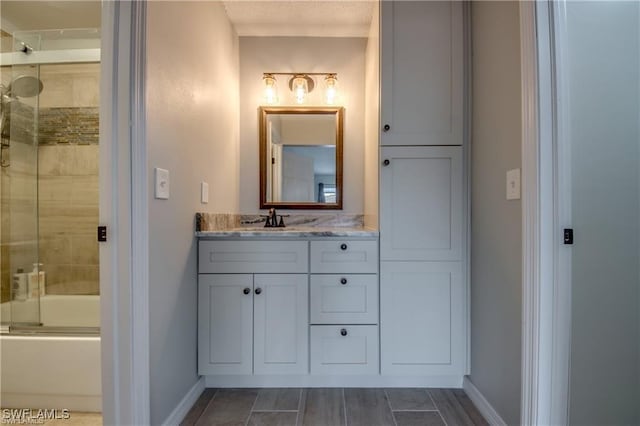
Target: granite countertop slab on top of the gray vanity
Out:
[289,232]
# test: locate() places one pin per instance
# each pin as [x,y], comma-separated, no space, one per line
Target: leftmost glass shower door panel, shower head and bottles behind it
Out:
[20,276]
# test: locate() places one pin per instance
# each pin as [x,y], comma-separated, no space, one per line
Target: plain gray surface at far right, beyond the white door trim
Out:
[603,76]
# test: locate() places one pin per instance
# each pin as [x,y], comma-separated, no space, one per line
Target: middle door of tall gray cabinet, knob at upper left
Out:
[421,203]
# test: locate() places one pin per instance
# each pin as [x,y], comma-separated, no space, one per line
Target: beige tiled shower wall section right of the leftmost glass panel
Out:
[68,178]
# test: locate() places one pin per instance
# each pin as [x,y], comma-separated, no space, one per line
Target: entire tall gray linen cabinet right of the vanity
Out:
[423,209]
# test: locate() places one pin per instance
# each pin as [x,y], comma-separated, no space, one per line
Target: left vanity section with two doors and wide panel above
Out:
[249,319]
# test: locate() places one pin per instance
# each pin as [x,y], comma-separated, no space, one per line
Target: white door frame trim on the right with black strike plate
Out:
[546,302]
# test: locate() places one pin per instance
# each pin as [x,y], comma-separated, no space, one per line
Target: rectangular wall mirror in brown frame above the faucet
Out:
[301,157]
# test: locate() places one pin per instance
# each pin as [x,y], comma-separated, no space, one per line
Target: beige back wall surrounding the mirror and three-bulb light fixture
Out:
[345,56]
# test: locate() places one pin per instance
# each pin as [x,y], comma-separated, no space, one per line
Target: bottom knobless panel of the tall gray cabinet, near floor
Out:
[422,318]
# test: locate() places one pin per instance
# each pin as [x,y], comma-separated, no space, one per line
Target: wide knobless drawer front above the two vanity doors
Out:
[234,257]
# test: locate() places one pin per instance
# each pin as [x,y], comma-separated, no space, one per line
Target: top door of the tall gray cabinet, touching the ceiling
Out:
[421,72]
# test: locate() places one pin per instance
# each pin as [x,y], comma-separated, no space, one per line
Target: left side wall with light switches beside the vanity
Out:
[192,130]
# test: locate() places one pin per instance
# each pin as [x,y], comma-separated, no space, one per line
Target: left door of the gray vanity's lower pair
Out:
[225,314]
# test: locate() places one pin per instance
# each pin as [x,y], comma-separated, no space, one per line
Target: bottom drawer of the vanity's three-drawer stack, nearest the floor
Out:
[344,349]
